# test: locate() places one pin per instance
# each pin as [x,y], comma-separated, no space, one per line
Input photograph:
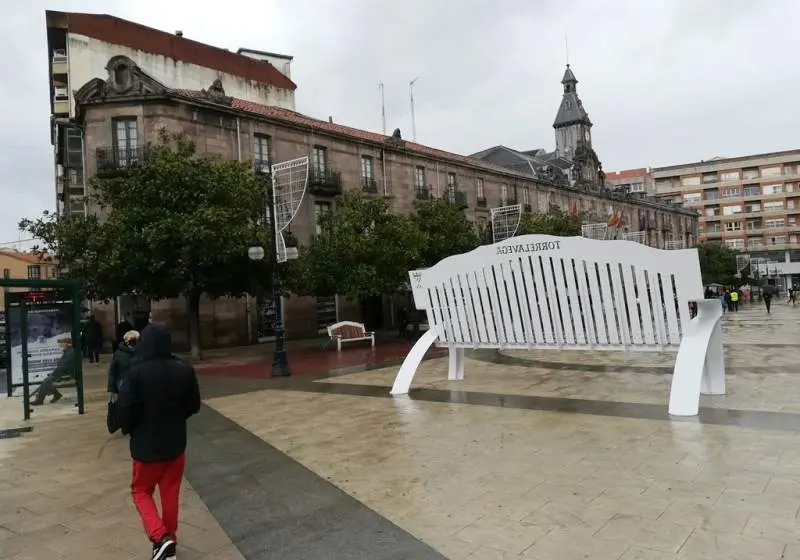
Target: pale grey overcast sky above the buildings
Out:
[664,81]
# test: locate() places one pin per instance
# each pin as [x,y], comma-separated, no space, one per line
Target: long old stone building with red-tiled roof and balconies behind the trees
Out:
[342,158]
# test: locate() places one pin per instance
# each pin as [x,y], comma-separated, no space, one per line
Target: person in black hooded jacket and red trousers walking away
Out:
[157,395]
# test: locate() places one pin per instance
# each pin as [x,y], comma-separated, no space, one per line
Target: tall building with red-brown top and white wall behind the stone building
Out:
[81,47]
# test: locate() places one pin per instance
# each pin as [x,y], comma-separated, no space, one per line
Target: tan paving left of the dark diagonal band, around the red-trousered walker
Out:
[62,499]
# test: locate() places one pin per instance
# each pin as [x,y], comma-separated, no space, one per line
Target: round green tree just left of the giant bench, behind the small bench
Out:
[363,250]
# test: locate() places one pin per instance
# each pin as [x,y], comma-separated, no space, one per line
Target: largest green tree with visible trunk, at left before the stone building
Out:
[175,225]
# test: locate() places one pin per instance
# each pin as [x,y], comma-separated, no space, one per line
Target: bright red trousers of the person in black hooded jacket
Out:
[167,475]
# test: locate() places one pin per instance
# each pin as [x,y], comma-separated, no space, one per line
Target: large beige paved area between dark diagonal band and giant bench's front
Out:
[480,482]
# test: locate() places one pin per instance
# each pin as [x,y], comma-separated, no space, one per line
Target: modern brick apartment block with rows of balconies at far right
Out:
[751,203]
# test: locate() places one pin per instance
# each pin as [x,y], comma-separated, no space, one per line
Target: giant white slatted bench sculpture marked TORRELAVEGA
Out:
[572,293]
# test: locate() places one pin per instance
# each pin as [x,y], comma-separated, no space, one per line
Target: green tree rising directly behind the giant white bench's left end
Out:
[447,230]
